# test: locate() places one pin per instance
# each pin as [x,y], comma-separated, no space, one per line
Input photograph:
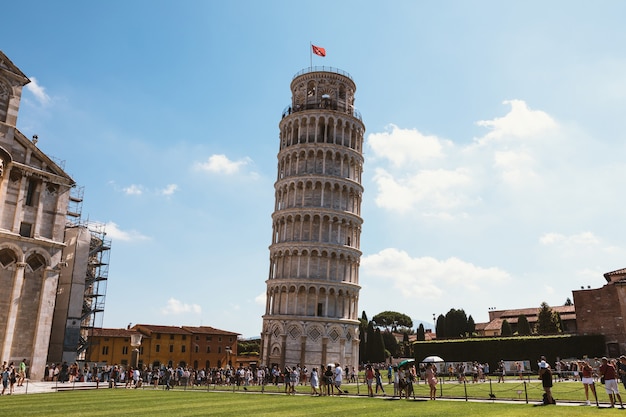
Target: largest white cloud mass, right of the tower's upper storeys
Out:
[428,176]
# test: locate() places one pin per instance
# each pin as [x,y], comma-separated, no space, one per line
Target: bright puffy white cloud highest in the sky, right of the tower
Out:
[520,123]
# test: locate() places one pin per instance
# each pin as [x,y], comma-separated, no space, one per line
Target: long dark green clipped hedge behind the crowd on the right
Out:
[494,349]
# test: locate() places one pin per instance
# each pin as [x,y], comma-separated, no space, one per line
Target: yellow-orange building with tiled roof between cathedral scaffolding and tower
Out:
[196,347]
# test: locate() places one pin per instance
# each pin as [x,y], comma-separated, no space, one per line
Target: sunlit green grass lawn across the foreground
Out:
[149,402]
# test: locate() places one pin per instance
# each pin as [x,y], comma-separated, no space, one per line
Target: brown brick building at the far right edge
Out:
[602,311]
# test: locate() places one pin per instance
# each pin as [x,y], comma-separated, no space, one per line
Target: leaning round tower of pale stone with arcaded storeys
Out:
[311,314]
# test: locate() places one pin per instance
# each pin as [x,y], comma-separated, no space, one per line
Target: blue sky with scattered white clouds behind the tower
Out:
[495,150]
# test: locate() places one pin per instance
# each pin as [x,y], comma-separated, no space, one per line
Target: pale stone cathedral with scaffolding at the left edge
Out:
[46,291]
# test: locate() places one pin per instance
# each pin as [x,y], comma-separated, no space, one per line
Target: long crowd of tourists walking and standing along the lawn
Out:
[328,379]
